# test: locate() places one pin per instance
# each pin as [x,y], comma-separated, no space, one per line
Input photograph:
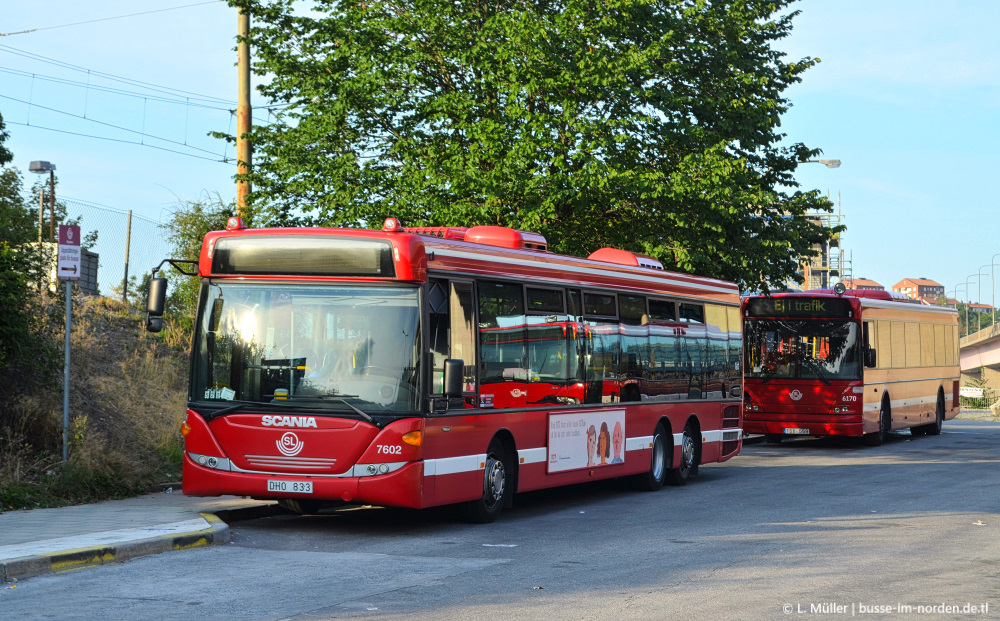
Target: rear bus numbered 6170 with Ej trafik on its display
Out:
[848,363]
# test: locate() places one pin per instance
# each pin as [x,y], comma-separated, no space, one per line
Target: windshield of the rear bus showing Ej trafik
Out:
[802,349]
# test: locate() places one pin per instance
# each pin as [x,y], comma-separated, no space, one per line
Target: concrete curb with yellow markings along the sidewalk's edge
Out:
[71,560]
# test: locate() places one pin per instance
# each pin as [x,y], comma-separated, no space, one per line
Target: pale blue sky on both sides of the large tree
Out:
[906,96]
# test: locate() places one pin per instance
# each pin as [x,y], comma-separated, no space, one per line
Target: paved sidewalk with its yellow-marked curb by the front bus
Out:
[45,541]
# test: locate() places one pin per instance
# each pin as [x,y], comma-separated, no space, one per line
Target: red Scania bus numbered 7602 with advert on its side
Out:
[438,366]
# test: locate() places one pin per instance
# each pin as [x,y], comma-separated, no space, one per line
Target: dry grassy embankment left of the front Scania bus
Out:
[127,400]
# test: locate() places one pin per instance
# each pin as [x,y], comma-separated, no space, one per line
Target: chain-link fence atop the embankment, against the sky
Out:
[127,245]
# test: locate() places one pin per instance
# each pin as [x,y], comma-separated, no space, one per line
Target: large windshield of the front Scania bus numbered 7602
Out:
[336,347]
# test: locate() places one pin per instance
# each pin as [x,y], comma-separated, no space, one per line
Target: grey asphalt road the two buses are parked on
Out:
[808,528]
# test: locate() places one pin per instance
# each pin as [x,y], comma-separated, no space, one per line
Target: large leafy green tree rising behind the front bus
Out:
[641,124]
